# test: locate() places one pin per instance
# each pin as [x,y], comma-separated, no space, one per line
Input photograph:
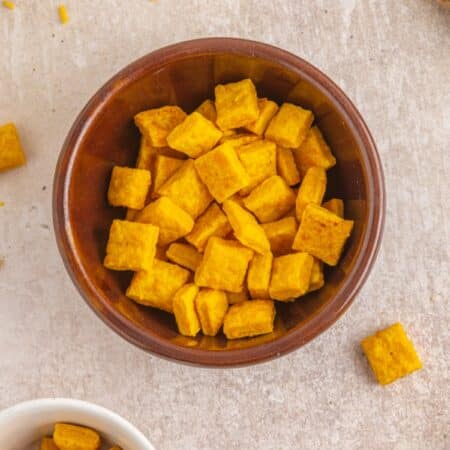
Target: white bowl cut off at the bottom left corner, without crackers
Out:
[23,424]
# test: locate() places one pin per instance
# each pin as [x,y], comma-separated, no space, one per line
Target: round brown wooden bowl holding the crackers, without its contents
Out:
[185,74]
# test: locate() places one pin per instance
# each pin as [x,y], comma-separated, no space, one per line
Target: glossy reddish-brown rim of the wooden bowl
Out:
[297,336]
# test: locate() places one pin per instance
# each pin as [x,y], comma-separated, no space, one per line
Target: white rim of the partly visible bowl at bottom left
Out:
[56,404]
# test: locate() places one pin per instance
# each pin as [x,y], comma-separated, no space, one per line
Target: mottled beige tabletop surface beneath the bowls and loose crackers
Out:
[392,57]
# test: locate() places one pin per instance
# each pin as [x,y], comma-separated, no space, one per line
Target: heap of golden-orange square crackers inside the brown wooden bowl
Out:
[225,212]
